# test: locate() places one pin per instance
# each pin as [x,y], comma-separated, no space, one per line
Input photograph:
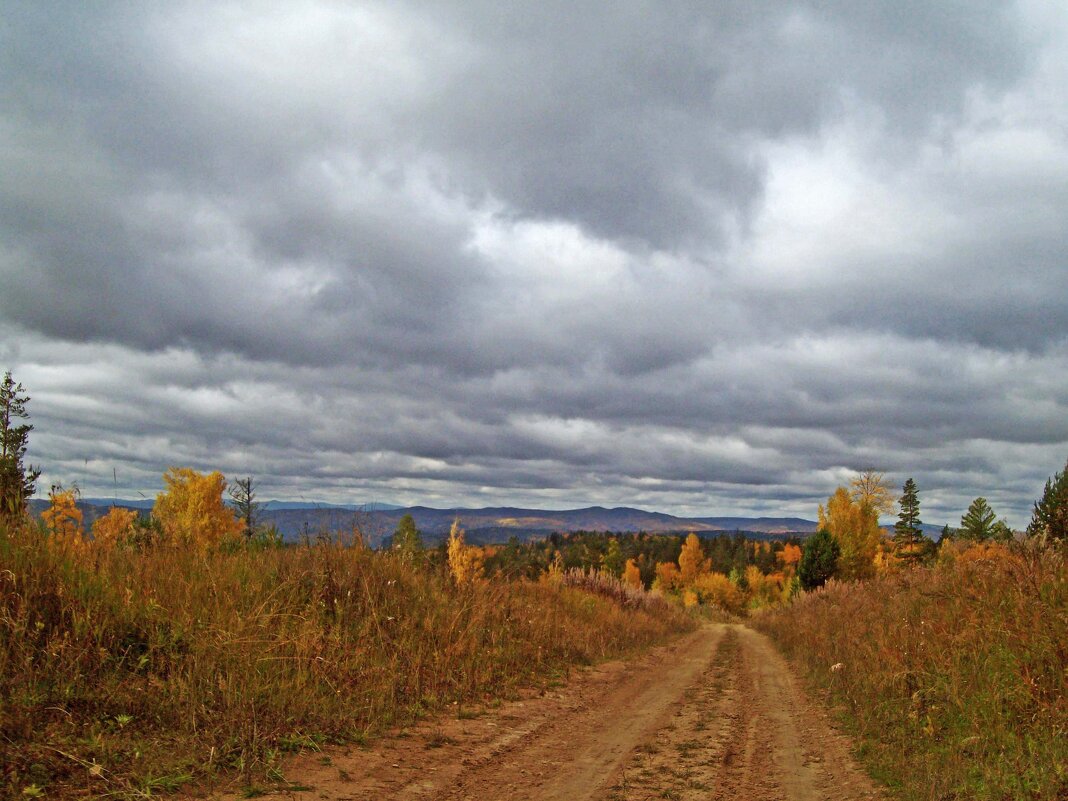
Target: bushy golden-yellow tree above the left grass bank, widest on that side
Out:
[192,511]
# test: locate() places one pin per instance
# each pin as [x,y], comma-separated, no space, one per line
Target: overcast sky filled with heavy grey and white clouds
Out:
[699,258]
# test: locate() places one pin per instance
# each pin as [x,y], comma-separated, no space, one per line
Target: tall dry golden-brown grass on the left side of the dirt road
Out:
[130,673]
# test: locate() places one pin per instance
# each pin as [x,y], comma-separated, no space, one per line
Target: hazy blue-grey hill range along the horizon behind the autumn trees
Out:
[378,522]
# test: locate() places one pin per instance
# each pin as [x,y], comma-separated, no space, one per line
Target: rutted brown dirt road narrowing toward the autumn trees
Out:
[717,715]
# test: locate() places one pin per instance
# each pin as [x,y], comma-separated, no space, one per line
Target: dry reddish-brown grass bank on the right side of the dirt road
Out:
[953,678]
